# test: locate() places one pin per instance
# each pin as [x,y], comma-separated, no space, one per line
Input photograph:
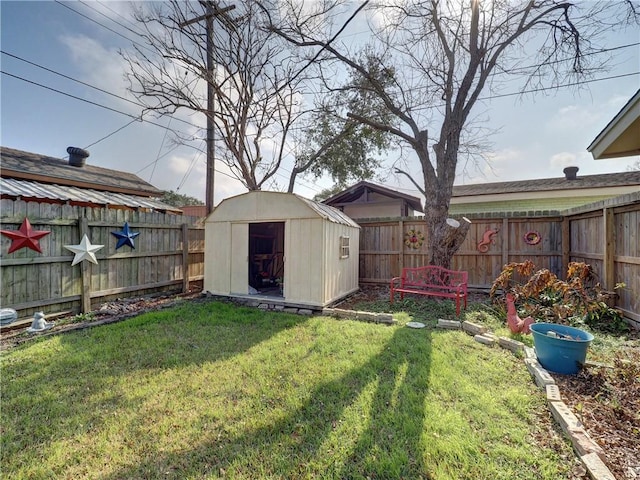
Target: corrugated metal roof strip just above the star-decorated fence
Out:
[12,187]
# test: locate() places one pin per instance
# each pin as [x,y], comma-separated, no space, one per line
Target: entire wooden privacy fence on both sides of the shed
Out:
[169,252]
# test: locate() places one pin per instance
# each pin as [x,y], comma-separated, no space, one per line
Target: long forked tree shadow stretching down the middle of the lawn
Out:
[368,422]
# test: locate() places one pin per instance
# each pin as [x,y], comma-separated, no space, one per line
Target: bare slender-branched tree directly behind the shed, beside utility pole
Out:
[255,81]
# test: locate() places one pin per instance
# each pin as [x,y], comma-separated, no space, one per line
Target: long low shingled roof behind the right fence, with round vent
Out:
[606,180]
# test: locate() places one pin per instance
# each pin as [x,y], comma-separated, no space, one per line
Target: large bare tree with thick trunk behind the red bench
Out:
[445,54]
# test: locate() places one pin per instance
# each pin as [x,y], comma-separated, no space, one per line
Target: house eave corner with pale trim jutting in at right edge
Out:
[621,136]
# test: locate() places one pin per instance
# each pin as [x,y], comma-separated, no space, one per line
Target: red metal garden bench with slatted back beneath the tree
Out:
[433,281]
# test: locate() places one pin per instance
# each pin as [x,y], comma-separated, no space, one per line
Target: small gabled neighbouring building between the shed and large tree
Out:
[369,200]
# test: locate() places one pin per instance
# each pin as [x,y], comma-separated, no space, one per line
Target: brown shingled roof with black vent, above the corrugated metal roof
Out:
[43,169]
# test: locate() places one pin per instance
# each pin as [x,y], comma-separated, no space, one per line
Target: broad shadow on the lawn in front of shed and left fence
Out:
[82,371]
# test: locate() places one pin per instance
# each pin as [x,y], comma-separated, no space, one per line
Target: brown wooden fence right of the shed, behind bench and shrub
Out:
[605,235]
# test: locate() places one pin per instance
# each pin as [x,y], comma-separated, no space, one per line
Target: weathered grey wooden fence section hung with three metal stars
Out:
[168,256]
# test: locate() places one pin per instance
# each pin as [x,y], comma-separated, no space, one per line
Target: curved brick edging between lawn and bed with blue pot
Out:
[590,453]
